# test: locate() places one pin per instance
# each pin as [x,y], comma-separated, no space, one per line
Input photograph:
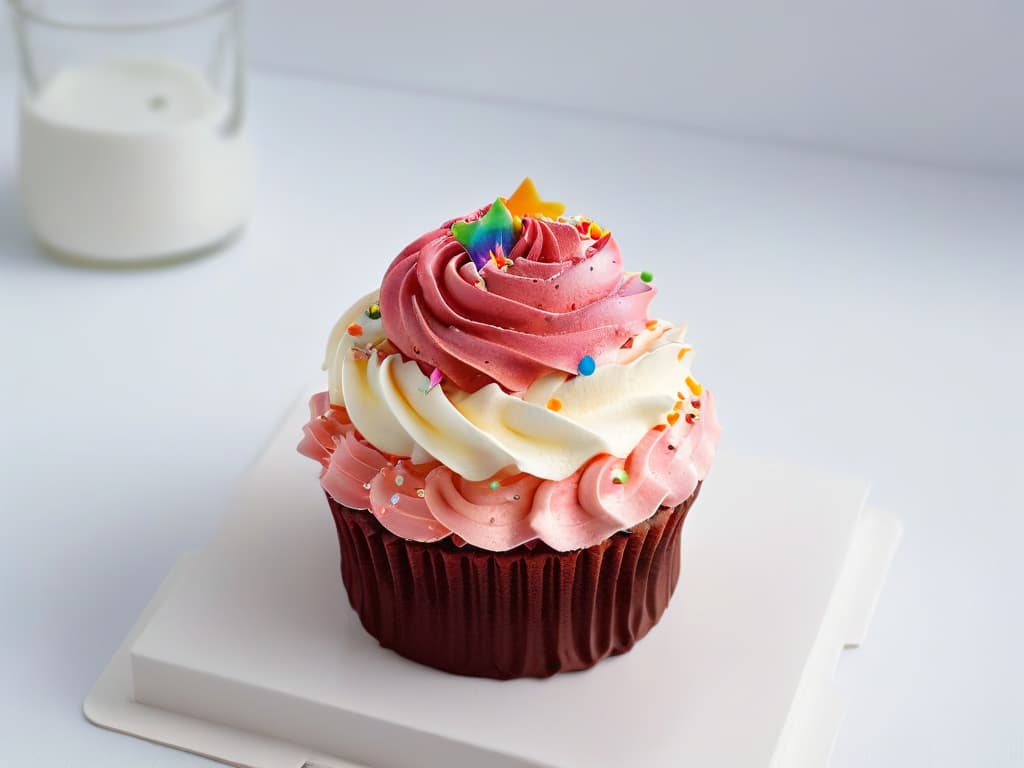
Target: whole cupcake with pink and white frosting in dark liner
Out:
[509,446]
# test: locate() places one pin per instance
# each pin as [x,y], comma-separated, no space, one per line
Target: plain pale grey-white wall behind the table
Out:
[937,81]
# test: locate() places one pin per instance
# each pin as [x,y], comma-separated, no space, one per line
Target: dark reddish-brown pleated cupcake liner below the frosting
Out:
[527,613]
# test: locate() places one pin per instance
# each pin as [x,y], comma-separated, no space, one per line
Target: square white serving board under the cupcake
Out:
[250,654]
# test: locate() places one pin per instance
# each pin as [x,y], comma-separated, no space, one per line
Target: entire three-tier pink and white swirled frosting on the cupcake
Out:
[458,405]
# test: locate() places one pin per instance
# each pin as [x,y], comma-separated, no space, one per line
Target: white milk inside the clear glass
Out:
[132,161]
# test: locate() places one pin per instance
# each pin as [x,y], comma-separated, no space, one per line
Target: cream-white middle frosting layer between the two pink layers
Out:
[549,432]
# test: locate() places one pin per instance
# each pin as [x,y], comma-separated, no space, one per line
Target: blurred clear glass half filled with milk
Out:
[132,146]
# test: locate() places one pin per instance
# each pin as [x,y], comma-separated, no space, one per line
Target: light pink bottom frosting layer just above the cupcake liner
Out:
[430,502]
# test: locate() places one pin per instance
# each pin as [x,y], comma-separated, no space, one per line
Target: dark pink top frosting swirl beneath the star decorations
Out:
[562,298]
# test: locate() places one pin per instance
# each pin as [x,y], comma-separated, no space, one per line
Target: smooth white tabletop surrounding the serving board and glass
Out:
[848,315]
